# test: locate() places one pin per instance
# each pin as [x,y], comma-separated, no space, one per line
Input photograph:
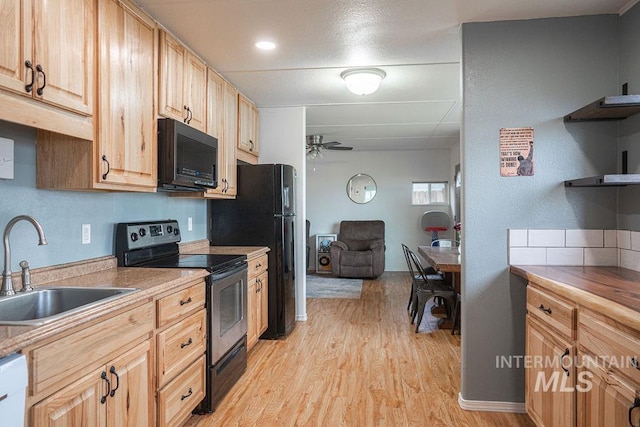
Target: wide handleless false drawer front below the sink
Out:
[89,347]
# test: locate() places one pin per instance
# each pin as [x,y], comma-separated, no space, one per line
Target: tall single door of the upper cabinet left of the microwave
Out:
[126,135]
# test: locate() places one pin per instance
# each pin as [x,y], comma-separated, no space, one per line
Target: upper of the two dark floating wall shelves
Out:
[608,108]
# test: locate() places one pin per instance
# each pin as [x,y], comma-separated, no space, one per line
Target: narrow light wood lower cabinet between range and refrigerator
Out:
[257,298]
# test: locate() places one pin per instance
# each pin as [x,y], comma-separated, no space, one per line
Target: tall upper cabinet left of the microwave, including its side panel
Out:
[123,152]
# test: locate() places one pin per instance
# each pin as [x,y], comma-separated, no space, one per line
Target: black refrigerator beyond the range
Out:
[263,214]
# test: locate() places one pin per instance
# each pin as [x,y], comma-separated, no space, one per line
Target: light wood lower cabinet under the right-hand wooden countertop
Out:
[597,380]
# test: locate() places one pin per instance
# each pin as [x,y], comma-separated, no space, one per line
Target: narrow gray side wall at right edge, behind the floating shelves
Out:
[629,129]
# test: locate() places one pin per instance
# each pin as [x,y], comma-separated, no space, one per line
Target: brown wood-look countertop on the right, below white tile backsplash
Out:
[614,291]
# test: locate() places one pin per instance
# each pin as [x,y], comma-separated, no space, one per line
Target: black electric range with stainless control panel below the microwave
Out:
[154,244]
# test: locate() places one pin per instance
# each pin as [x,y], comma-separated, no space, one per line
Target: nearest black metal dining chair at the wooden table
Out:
[426,289]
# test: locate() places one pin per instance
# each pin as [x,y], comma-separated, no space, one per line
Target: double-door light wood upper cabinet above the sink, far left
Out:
[47,64]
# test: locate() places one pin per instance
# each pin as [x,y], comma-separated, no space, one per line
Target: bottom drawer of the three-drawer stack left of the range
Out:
[182,395]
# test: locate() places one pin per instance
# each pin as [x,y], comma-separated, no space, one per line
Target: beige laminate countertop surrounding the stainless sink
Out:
[149,281]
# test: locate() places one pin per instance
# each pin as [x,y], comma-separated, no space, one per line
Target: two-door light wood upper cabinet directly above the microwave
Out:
[183,83]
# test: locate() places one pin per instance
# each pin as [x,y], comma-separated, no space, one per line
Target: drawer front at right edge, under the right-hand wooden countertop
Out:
[613,347]
